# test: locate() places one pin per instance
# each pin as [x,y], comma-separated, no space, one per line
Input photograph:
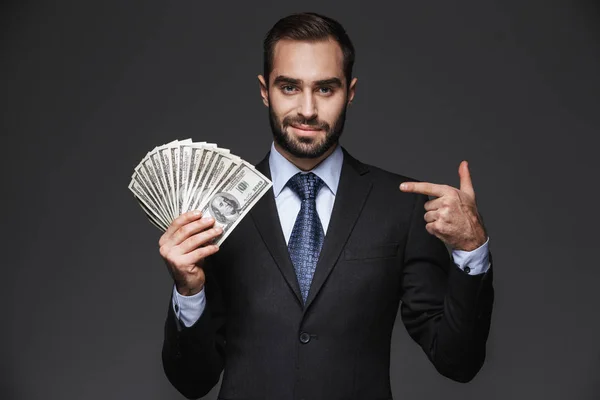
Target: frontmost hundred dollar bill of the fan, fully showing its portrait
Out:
[234,197]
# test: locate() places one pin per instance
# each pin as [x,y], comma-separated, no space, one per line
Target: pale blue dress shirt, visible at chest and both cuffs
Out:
[189,308]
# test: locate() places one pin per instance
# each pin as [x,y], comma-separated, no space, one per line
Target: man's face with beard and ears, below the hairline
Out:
[307,96]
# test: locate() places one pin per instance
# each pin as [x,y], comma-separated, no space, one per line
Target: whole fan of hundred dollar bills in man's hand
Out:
[183,175]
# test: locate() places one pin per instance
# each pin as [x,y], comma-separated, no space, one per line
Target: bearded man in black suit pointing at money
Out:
[300,301]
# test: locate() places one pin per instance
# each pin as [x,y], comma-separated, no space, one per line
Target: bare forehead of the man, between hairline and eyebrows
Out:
[308,60]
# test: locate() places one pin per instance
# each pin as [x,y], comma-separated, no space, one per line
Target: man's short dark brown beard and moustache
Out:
[306,147]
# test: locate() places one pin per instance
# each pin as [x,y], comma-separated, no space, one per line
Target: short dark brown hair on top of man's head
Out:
[310,27]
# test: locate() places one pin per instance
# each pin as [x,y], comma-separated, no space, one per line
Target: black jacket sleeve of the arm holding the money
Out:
[193,357]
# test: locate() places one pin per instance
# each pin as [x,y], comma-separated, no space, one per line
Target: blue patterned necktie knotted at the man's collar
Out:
[307,235]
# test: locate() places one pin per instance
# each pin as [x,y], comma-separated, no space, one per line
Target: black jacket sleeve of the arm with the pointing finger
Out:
[444,309]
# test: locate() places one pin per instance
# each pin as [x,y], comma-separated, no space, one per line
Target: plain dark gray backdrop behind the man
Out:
[89,87]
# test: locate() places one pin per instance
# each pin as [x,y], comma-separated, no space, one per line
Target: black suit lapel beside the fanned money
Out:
[266,218]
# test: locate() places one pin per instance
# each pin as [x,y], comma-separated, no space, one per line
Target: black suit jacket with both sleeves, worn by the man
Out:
[376,255]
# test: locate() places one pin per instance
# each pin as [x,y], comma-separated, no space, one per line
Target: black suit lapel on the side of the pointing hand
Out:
[353,190]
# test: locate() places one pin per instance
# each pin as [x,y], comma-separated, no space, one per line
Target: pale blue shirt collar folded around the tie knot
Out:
[329,170]
